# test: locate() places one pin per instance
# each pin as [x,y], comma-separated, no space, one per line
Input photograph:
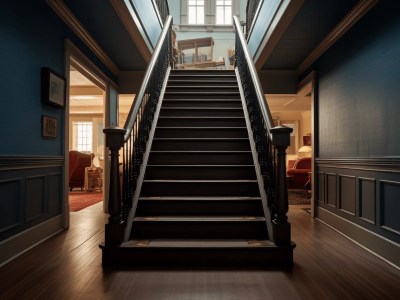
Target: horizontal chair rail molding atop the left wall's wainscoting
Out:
[14,162]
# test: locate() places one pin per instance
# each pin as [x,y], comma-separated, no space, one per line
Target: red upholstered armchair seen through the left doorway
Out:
[78,161]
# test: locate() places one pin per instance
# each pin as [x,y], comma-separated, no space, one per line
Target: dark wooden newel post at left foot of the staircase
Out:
[114,230]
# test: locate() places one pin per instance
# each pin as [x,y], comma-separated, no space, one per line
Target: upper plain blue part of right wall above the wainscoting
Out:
[359,88]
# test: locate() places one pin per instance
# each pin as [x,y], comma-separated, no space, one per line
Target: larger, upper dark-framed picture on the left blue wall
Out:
[53,88]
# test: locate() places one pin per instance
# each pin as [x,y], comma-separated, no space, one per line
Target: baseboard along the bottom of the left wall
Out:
[18,244]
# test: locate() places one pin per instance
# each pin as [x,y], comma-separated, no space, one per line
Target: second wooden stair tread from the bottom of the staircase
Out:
[199,219]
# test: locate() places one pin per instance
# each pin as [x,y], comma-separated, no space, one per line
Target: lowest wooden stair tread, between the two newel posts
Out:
[199,243]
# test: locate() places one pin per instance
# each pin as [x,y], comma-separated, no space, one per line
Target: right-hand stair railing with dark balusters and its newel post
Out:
[270,142]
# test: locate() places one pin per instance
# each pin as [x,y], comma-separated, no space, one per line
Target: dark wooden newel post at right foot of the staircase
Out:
[281,227]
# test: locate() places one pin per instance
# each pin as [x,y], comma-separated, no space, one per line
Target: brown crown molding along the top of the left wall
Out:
[61,9]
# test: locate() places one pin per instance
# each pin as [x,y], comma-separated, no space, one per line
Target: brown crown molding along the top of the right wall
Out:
[344,25]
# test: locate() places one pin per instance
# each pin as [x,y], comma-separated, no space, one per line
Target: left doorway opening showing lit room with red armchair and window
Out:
[86,139]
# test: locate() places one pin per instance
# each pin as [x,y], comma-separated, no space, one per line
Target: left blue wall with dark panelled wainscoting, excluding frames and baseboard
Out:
[31,176]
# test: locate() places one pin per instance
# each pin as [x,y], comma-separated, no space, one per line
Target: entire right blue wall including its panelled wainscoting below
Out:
[358,144]
